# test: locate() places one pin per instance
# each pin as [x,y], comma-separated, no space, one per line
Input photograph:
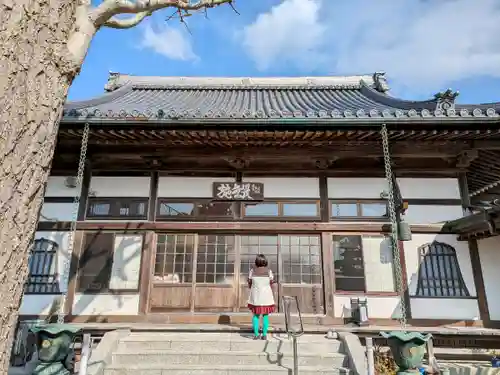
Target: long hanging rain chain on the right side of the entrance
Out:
[394,225]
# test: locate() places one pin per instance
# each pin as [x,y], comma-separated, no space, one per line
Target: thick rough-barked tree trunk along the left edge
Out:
[34,82]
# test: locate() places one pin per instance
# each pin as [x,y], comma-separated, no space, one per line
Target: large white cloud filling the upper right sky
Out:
[422,44]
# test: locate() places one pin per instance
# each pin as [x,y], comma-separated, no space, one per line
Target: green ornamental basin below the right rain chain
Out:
[408,349]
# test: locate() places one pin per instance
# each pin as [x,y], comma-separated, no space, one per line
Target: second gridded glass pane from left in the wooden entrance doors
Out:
[215,259]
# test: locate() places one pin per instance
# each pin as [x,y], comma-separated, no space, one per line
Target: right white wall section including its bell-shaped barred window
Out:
[441,287]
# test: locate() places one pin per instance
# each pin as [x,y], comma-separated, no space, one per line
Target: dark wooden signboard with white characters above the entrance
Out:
[238,191]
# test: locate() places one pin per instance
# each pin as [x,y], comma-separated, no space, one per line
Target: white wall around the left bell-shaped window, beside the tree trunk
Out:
[38,304]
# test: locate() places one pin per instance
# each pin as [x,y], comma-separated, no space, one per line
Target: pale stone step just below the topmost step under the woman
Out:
[239,343]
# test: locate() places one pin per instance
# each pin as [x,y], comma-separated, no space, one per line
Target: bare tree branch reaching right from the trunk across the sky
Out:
[103,15]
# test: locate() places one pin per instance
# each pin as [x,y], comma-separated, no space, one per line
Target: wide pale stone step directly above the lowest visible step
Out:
[217,358]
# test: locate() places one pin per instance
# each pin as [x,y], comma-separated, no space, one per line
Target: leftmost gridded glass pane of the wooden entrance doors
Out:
[174,258]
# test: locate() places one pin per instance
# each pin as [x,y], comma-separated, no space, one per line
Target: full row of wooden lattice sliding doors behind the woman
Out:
[208,272]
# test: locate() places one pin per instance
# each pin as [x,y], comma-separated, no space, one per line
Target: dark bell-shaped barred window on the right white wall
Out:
[439,273]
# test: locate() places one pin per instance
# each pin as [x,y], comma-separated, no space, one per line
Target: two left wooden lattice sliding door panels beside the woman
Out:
[194,273]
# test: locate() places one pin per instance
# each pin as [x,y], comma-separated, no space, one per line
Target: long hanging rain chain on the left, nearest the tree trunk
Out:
[71,240]
